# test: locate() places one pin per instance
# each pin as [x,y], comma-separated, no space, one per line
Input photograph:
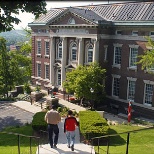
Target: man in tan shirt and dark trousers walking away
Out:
[52,117]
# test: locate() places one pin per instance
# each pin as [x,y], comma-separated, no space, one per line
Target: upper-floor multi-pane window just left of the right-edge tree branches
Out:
[133,57]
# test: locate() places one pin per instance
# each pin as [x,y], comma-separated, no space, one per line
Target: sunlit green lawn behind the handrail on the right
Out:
[141,142]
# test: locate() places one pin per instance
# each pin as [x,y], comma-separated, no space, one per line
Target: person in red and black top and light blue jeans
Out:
[70,124]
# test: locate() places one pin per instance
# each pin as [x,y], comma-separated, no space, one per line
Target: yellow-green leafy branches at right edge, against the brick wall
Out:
[147,59]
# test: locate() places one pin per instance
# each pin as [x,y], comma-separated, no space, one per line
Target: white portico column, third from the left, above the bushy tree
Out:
[80,51]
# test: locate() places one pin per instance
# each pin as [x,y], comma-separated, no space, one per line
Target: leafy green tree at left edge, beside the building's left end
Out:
[15,66]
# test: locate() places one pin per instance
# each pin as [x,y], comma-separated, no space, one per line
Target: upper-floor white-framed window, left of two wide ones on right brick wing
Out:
[116,57]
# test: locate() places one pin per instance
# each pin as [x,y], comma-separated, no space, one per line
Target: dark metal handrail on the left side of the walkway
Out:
[17,134]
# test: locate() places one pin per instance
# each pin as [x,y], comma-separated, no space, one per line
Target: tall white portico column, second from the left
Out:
[64,54]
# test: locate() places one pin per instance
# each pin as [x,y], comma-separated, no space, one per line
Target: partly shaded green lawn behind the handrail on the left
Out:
[8,143]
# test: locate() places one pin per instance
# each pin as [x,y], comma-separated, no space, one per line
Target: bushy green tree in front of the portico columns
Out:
[81,79]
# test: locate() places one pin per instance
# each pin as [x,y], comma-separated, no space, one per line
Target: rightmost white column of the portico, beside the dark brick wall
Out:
[96,50]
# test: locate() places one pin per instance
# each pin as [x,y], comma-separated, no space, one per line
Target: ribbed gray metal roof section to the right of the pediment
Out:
[126,11]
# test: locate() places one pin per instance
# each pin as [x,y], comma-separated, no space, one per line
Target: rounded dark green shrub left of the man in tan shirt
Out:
[38,122]
